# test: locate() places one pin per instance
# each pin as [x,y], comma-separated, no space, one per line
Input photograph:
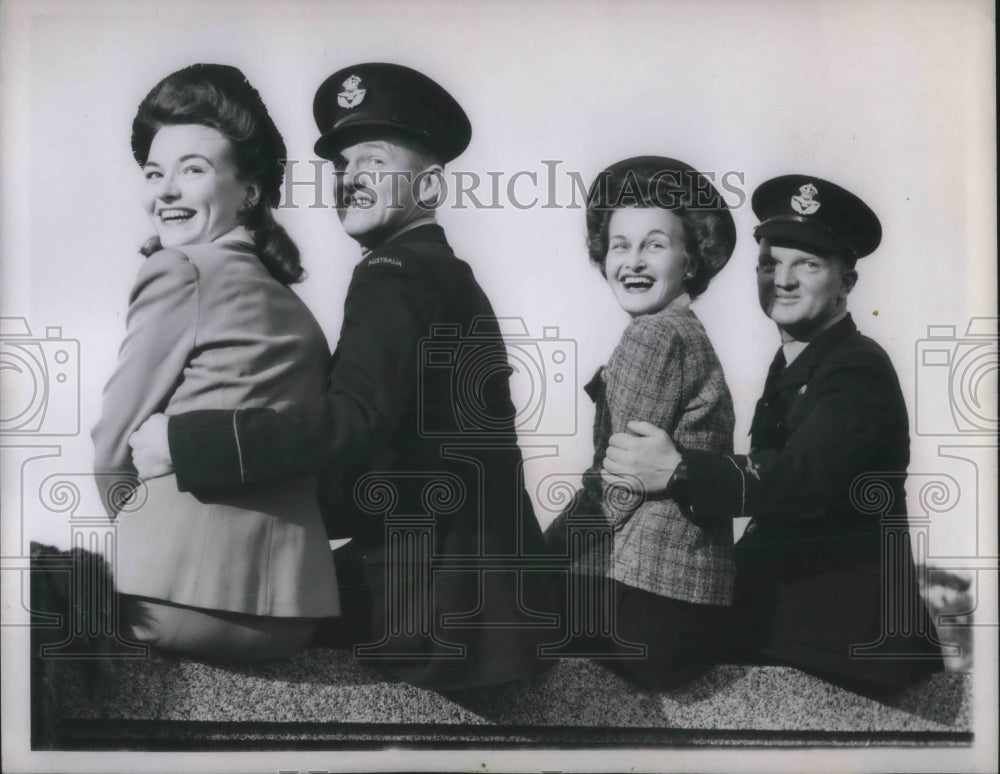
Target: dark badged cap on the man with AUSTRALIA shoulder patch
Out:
[361,102]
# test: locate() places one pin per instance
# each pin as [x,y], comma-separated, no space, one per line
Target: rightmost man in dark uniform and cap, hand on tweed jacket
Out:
[822,583]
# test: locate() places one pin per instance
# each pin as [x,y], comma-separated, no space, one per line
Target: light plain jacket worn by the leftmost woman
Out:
[208,327]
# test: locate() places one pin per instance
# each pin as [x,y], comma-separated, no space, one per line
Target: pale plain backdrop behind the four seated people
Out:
[892,99]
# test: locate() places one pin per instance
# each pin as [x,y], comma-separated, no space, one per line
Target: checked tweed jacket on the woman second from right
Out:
[665,371]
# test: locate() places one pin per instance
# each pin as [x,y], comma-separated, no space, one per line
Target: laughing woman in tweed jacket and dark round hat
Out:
[659,231]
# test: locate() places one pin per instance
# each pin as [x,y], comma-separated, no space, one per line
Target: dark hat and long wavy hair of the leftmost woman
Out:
[219,96]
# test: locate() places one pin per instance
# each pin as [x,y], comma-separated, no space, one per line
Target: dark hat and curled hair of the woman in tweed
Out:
[655,181]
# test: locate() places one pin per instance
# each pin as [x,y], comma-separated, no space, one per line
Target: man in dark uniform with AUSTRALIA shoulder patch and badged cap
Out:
[392,438]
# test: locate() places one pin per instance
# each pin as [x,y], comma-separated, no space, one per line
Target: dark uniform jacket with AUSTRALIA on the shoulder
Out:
[418,394]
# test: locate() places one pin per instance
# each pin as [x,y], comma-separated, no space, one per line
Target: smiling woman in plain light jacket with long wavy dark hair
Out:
[212,323]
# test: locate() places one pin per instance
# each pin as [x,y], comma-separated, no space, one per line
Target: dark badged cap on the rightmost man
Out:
[815,213]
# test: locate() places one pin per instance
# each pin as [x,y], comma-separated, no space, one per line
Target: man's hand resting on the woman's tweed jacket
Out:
[645,453]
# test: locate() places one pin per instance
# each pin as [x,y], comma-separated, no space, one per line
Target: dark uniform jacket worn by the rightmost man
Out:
[811,559]
